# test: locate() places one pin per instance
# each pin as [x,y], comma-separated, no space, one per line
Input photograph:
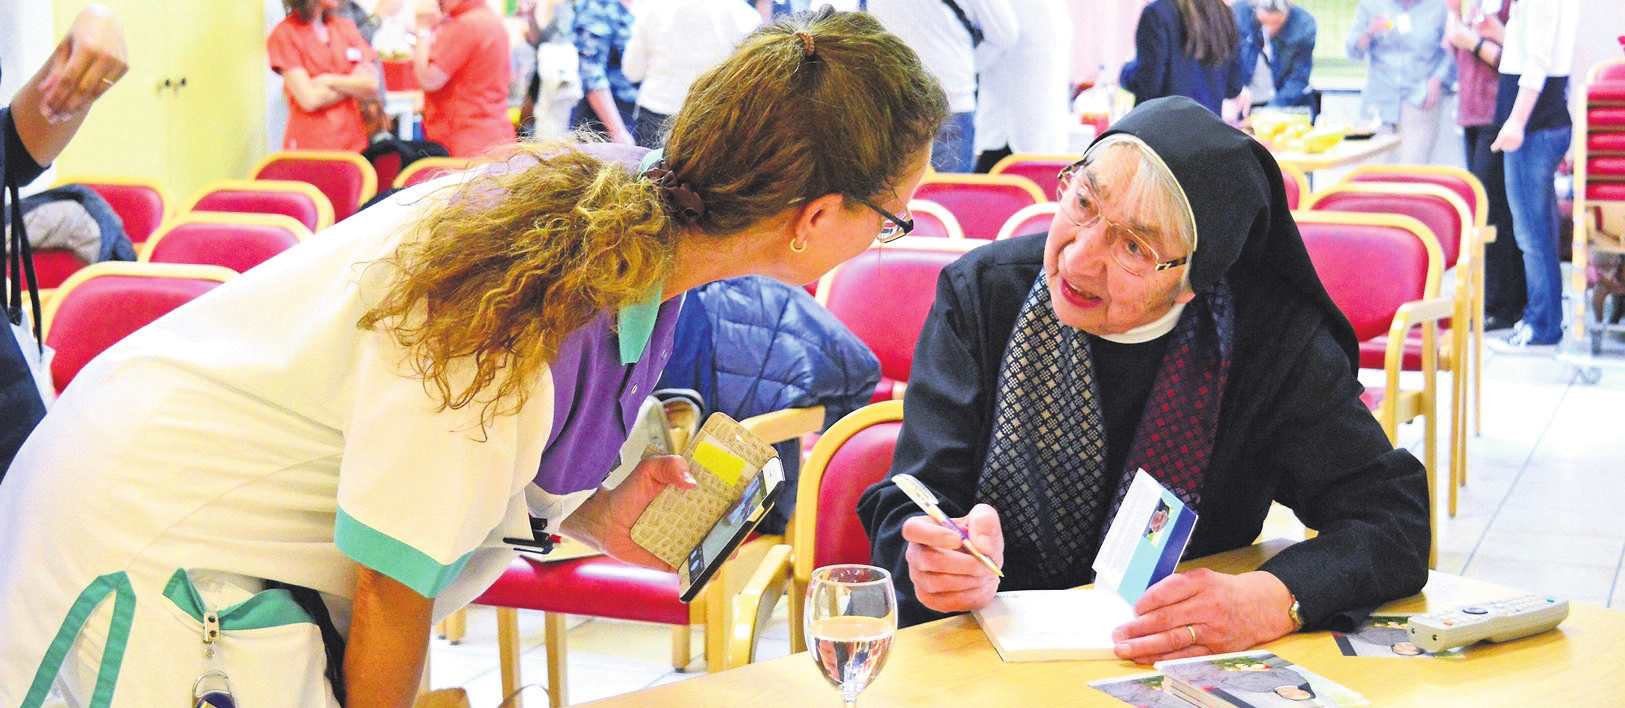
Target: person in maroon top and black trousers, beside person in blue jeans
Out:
[1476,43]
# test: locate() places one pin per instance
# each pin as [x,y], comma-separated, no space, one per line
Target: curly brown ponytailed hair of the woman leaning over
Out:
[506,267]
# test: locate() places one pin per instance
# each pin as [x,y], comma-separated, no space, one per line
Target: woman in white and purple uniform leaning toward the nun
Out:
[370,415]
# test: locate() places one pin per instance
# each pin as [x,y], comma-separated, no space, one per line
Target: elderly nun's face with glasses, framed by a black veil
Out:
[1091,282]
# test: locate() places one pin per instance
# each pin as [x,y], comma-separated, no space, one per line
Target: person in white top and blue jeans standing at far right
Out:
[1532,106]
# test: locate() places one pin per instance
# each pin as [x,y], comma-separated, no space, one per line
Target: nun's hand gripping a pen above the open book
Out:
[945,576]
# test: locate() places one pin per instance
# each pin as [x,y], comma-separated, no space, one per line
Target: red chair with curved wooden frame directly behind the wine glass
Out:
[852,455]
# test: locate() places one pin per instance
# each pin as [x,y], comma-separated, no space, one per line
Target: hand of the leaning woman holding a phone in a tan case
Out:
[605,520]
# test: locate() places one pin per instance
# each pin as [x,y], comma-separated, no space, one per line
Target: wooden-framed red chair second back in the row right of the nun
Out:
[1452,225]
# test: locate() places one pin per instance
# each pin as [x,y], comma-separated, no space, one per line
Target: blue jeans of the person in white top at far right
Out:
[1533,199]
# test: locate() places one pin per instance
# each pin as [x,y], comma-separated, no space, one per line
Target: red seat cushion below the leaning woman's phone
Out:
[600,587]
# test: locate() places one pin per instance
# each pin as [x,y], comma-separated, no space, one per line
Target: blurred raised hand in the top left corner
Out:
[90,59]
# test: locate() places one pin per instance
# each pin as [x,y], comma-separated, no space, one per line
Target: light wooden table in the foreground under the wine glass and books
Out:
[951,663]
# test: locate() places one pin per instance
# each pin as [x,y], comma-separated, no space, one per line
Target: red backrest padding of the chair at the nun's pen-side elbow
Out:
[860,462]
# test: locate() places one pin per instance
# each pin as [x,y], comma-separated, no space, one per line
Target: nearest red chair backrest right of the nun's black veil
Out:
[1372,264]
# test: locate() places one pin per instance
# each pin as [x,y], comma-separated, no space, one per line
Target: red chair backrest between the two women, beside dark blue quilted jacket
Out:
[885,295]
